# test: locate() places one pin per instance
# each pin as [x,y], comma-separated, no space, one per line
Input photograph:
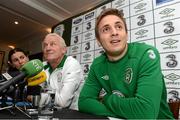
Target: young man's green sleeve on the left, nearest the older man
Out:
[88,100]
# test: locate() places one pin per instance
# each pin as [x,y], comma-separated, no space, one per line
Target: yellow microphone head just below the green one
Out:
[37,79]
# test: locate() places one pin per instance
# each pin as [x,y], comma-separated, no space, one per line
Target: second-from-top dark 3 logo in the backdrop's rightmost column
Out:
[172,63]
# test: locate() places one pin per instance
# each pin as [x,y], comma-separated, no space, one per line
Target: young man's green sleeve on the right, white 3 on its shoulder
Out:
[146,101]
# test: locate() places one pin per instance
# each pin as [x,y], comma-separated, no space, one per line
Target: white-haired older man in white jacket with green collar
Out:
[65,76]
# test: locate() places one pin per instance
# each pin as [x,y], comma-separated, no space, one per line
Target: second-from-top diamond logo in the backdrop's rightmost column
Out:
[170,44]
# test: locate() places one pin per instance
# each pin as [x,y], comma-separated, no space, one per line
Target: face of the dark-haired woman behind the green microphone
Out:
[19,59]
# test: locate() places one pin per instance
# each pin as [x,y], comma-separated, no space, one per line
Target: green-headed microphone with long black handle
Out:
[29,69]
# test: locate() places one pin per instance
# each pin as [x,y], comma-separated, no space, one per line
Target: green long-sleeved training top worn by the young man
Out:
[134,86]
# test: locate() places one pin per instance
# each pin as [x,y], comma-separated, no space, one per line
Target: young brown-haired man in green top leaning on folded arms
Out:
[128,73]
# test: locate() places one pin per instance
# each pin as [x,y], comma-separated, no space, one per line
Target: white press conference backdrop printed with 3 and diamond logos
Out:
[154,22]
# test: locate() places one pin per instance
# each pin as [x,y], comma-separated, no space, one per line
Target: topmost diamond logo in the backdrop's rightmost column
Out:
[167,12]
